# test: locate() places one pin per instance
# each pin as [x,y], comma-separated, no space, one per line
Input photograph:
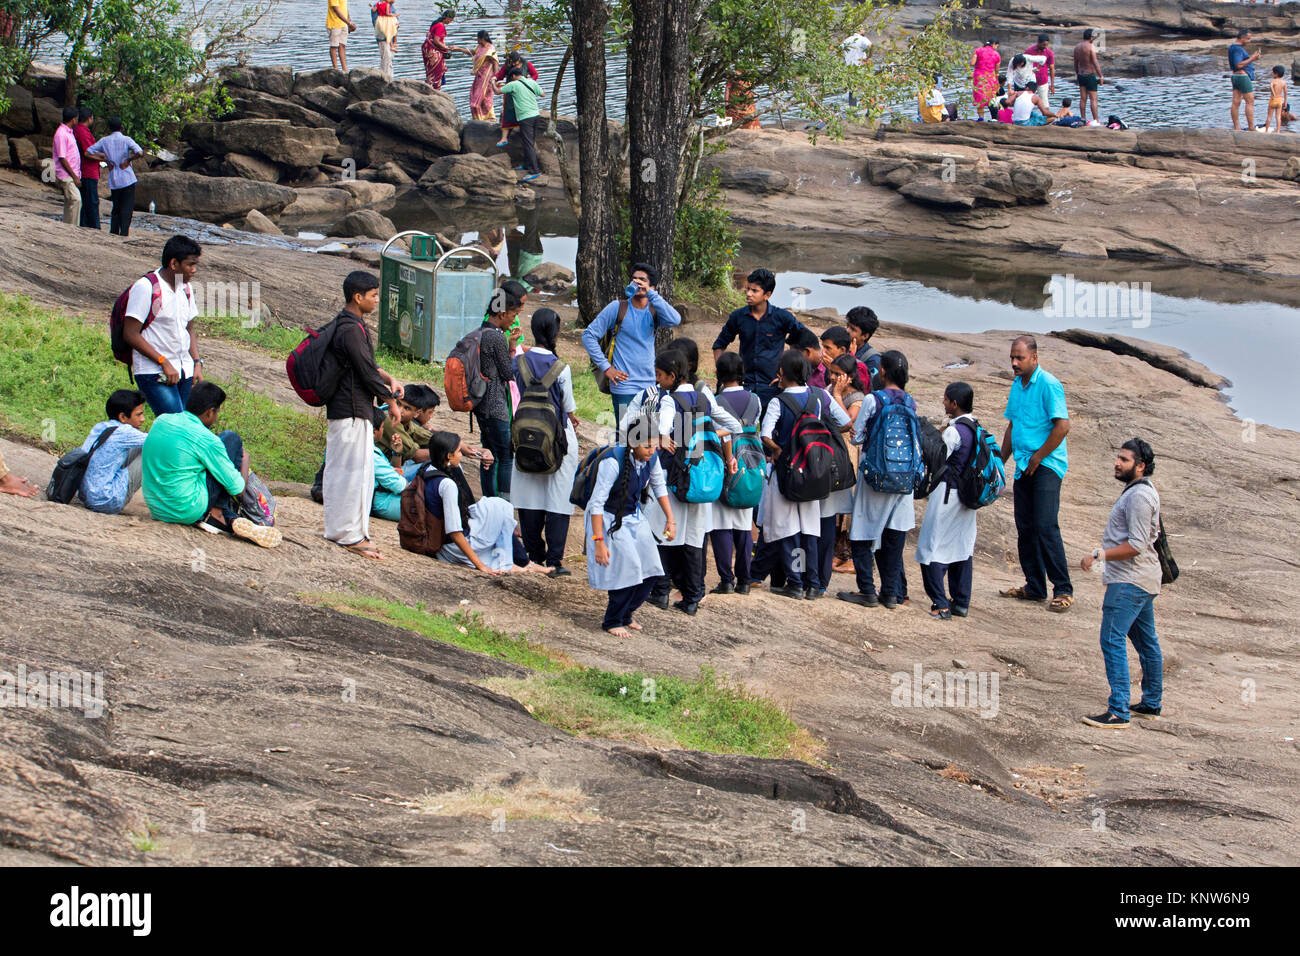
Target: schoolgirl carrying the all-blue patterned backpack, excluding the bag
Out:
[881,520]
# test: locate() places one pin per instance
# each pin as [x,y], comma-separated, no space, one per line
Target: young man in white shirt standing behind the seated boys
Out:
[166,360]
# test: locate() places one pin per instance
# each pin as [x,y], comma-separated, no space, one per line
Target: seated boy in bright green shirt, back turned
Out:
[193,477]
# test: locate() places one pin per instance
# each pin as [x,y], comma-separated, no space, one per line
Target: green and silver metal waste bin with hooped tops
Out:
[430,297]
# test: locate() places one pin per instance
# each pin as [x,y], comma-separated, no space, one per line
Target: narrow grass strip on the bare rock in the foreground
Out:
[707,713]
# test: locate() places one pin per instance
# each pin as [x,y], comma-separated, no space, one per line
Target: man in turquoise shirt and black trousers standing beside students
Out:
[1037,426]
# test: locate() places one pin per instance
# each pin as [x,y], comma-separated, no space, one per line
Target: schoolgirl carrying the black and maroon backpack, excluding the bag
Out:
[792,531]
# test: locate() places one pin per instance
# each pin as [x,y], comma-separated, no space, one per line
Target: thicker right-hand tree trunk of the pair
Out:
[658,119]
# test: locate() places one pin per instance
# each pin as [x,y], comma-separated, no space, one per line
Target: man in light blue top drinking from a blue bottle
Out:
[631,366]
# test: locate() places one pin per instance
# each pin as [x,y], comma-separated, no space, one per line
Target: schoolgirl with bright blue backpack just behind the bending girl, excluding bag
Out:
[683,559]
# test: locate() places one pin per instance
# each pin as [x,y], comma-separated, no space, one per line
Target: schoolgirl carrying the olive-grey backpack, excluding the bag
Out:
[544,500]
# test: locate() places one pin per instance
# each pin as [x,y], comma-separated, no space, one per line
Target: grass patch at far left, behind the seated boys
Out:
[58,371]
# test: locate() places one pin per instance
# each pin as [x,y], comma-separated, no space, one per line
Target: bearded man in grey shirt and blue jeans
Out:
[1132,577]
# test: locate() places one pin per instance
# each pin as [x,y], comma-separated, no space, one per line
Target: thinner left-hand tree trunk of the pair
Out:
[599,270]
